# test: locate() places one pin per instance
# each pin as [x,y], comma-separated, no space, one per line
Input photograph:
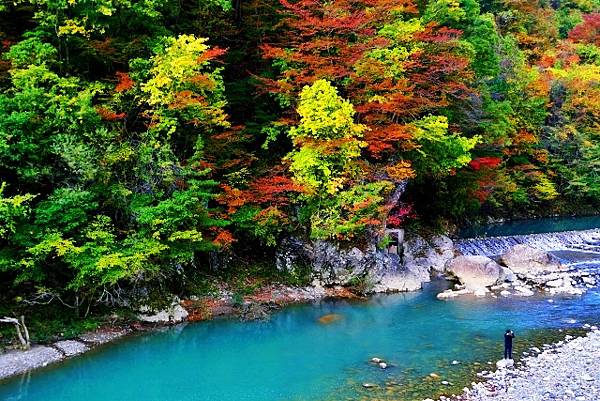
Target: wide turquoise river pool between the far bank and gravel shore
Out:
[294,357]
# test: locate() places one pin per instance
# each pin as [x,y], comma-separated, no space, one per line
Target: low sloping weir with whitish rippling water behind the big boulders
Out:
[587,241]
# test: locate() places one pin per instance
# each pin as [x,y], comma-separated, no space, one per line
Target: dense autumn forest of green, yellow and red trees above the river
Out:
[140,141]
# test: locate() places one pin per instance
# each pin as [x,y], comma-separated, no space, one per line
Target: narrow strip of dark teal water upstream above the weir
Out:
[533,226]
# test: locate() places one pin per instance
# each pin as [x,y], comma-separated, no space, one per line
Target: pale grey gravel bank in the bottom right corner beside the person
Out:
[569,370]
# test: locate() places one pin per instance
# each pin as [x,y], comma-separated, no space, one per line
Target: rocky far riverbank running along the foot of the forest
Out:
[337,273]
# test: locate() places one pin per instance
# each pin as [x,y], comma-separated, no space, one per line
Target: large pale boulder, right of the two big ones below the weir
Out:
[526,260]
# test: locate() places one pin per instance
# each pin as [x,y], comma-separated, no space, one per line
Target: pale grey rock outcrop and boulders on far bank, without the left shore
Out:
[520,270]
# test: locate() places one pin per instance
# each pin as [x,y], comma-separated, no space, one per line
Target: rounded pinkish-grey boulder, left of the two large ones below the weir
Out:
[475,272]
